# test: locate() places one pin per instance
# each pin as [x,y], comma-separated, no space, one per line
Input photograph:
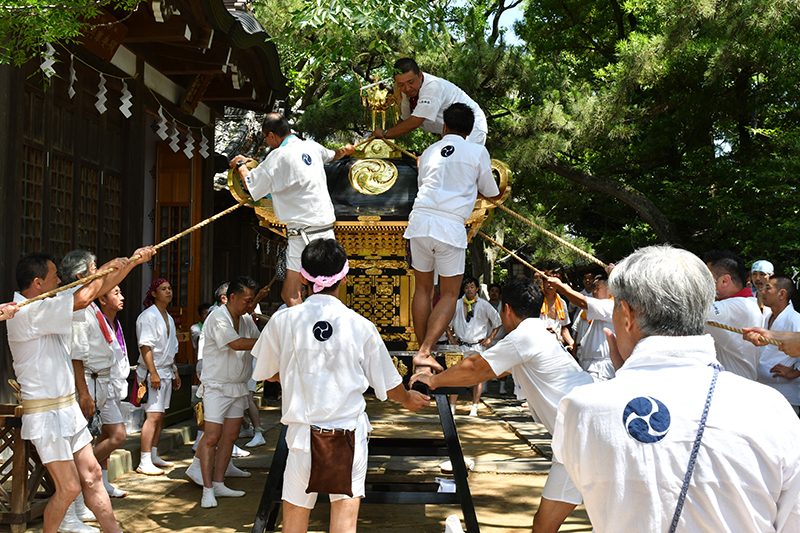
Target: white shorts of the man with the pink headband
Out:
[298,471]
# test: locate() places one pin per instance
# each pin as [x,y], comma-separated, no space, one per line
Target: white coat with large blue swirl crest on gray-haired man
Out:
[626,444]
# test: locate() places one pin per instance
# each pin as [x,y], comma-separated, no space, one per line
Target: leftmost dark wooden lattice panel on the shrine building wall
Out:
[32,183]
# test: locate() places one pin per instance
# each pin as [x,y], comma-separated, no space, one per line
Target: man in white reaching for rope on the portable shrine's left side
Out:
[294,174]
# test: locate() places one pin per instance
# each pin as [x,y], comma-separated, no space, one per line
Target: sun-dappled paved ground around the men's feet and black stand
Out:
[511,454]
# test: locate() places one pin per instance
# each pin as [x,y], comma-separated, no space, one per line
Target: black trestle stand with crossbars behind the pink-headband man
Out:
[393,493]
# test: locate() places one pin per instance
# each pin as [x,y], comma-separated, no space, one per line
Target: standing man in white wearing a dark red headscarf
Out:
[158,345]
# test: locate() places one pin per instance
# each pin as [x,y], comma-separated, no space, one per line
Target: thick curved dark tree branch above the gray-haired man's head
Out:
[622,192]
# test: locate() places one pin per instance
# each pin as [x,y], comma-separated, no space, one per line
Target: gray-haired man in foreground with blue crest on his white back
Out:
[627,442]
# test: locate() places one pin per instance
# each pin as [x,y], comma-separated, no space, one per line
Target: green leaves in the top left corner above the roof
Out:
[27,25]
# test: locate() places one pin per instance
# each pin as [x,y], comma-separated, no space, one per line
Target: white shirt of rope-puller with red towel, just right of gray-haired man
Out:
[733,352]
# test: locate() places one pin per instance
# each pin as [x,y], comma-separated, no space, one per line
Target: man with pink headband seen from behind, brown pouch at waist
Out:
[325,356]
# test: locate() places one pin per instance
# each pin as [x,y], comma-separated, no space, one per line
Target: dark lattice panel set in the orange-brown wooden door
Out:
[174,261]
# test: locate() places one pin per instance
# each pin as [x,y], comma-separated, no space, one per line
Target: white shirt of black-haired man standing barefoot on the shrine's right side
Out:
[451,173]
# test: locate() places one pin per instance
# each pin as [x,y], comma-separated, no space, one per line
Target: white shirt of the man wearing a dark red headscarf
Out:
[151,330]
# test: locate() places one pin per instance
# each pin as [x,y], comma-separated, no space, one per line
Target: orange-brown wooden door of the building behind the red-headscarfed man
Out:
[178,188]
